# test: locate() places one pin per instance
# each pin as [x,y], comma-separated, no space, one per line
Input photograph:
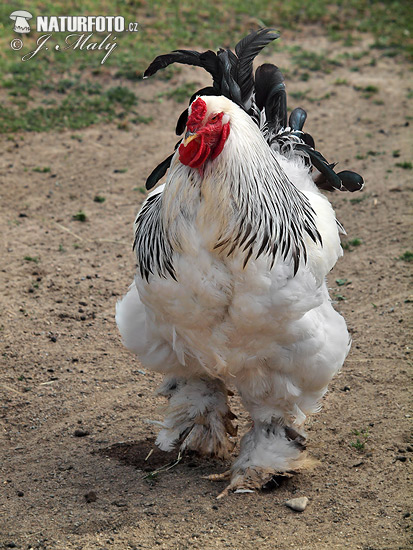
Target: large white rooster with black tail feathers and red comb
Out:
[233,252]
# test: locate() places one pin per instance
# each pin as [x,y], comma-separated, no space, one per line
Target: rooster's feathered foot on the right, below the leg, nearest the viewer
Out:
[267,451]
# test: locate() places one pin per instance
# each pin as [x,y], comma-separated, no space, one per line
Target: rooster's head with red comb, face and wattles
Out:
[207,130]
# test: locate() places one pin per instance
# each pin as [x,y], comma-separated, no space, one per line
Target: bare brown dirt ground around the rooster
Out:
[74,403]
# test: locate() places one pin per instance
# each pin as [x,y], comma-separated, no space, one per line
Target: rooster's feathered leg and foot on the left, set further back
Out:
[198,418]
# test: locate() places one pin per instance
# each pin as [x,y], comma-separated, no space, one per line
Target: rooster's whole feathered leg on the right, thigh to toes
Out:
[275,443]
